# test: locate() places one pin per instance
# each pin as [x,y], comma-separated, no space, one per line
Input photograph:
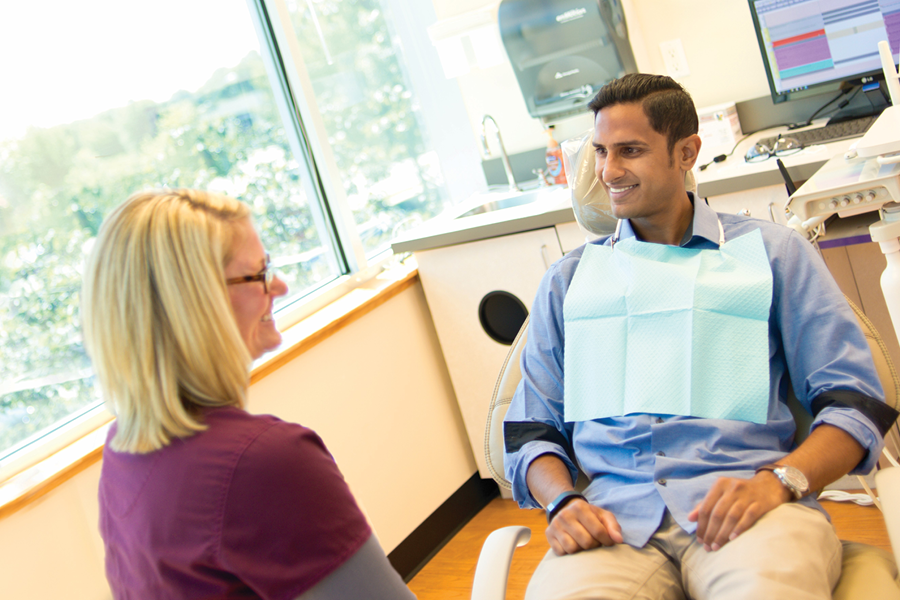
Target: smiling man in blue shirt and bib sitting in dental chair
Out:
[658,362]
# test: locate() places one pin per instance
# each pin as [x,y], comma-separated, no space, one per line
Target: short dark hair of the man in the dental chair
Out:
[668,106]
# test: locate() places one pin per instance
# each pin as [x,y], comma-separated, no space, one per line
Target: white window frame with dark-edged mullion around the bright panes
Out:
[456,146]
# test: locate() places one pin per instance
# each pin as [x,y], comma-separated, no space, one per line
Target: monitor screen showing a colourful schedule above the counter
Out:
[814,45]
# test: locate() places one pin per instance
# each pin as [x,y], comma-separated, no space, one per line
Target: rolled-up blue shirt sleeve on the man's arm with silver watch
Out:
[827,354]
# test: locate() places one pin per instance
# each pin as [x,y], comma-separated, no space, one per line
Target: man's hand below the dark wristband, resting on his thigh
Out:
[581,526]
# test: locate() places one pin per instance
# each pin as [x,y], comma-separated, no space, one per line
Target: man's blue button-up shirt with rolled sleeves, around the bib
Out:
[639,465]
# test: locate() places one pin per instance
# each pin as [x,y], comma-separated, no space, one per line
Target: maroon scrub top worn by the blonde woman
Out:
[253,507]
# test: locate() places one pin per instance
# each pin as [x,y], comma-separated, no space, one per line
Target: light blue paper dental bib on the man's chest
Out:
[658,329]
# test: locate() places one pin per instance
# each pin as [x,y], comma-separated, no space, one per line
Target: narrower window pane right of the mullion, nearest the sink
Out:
[368,109]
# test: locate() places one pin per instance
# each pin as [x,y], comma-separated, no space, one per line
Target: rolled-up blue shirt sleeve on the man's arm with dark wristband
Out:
[534,424]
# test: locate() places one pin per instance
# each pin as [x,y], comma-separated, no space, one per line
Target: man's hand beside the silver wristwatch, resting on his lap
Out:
[732,506]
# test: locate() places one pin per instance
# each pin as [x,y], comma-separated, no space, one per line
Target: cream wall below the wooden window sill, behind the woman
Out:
[377,392]
